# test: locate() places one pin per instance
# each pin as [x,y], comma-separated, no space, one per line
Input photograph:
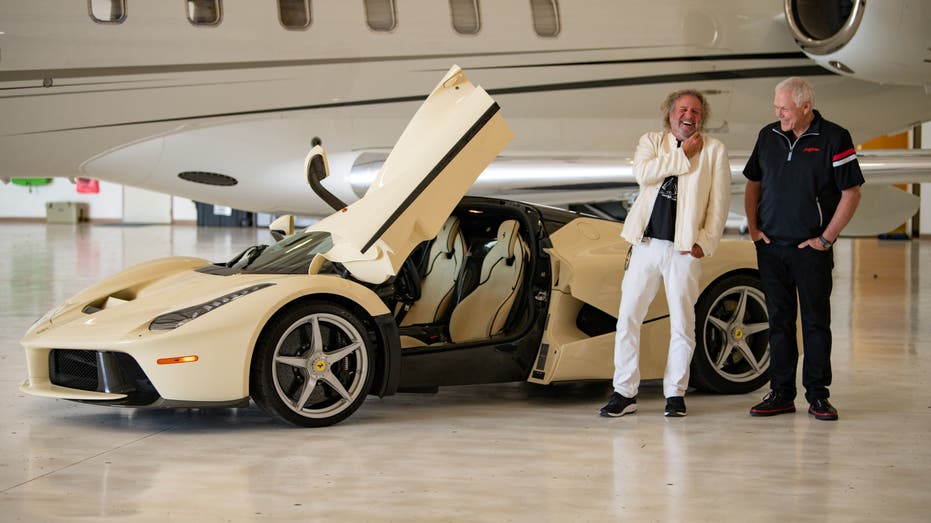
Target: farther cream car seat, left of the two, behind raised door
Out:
[437,288]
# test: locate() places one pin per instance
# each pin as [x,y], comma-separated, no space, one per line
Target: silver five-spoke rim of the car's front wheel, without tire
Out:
[320,365]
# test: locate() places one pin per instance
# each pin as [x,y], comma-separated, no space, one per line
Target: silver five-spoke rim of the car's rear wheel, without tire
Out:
[735,334]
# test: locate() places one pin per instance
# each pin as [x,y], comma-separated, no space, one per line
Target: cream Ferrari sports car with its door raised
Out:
[412,287]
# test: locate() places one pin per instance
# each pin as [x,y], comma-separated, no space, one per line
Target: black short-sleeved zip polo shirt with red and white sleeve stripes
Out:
[801,179]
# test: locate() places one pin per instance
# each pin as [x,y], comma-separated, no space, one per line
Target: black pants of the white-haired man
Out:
[794,278]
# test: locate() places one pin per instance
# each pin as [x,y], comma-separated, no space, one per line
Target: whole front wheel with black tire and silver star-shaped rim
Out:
[312,365]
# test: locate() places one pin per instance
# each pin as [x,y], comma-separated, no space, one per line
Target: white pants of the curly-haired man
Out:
[650,262]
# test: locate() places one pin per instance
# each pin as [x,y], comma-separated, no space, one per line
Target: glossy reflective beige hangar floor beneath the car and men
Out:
[511,452]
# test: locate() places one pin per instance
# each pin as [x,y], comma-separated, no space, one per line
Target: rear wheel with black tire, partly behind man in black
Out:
[731,337]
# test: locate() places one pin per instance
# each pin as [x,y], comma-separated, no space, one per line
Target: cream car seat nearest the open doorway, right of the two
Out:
[484,312]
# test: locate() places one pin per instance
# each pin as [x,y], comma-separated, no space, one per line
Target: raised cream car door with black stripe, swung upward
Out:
[454,135]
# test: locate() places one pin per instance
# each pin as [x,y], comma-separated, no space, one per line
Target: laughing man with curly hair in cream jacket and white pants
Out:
[677,219]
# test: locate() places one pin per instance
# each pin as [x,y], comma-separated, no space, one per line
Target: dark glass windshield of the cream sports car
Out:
[291,255]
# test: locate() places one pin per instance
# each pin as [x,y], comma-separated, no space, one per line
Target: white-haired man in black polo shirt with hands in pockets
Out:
[803,187]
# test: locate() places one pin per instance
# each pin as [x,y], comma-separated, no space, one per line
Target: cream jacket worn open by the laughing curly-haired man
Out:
[704,190]
